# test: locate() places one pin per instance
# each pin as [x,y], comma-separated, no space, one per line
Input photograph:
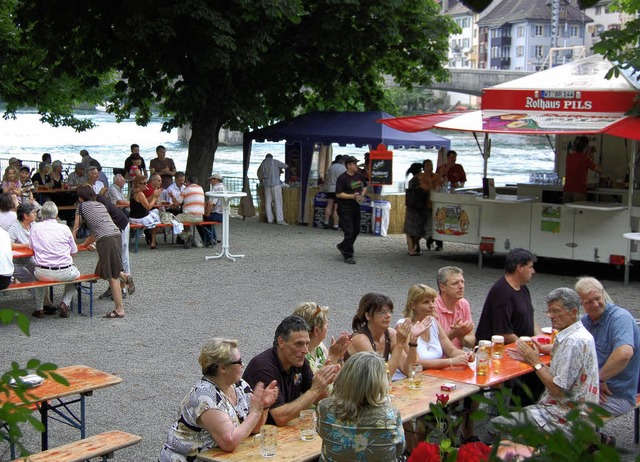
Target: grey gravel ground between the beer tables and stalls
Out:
[182,300]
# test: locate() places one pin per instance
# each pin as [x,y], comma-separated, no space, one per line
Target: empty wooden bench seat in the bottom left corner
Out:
[102,445]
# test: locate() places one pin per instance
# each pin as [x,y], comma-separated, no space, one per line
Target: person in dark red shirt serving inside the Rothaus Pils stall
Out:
[577,167]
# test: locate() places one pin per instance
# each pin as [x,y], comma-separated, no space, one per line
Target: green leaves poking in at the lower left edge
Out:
[12,415]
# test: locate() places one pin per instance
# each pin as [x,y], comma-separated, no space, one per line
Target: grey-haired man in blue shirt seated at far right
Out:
[617,339]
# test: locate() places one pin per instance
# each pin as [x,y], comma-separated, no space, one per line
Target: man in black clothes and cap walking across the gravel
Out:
[351,187]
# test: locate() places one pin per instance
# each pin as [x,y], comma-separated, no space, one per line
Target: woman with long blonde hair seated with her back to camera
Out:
[358,421]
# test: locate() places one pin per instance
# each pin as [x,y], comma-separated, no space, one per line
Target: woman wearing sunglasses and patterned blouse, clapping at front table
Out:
[220,410]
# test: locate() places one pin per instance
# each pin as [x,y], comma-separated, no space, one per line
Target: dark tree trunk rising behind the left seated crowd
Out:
[203,144]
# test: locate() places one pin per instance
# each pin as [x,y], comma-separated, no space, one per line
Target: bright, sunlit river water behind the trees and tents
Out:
[512,158]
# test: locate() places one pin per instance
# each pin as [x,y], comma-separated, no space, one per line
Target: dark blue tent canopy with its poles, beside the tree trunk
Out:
[302,133]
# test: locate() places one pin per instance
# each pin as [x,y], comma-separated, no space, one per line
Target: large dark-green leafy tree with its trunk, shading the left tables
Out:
[240,64]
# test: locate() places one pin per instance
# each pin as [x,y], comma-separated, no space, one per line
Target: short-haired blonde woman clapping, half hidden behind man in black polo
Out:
[317,319]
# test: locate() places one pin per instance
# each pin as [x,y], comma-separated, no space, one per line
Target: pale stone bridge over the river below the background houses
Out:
[472,81]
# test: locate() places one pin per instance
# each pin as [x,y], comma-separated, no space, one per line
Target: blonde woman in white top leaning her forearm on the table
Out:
[435,350]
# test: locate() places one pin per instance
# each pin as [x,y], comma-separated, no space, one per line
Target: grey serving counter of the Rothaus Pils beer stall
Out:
[586,231]
